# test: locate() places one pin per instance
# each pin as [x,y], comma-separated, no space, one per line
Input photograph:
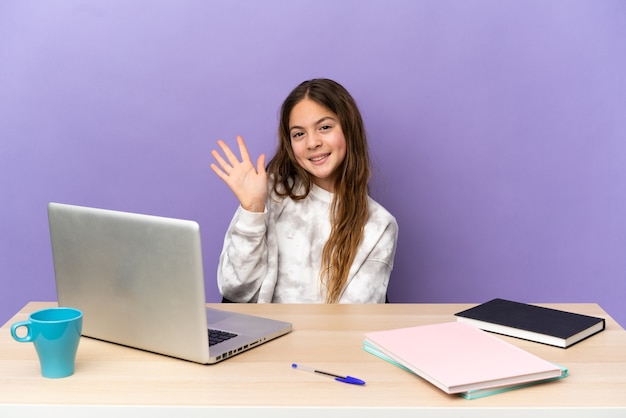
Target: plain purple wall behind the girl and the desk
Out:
[497,128]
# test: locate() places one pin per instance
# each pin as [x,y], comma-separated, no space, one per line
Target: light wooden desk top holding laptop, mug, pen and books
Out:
[112,380]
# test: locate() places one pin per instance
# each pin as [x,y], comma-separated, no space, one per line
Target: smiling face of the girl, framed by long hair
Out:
[317,141]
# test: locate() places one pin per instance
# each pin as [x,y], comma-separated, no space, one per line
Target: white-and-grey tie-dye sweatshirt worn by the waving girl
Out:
[275,256]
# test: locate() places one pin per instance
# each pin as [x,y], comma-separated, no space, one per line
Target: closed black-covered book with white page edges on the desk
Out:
[531,322]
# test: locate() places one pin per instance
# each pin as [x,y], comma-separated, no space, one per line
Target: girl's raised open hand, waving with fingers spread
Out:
[249,184]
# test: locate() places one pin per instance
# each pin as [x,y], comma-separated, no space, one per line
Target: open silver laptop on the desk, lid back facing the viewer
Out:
[139,281]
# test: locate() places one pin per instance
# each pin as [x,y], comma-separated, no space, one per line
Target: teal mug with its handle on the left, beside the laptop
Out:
[56,334]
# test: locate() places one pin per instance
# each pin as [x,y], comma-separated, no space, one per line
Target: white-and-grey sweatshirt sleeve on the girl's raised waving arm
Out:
[243,261]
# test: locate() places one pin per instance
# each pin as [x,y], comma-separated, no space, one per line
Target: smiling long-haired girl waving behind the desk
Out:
[306,230]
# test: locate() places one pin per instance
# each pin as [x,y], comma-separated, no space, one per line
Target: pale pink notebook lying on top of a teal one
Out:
[458,357]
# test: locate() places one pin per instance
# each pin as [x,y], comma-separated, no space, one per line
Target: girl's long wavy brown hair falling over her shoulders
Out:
[349,208]
